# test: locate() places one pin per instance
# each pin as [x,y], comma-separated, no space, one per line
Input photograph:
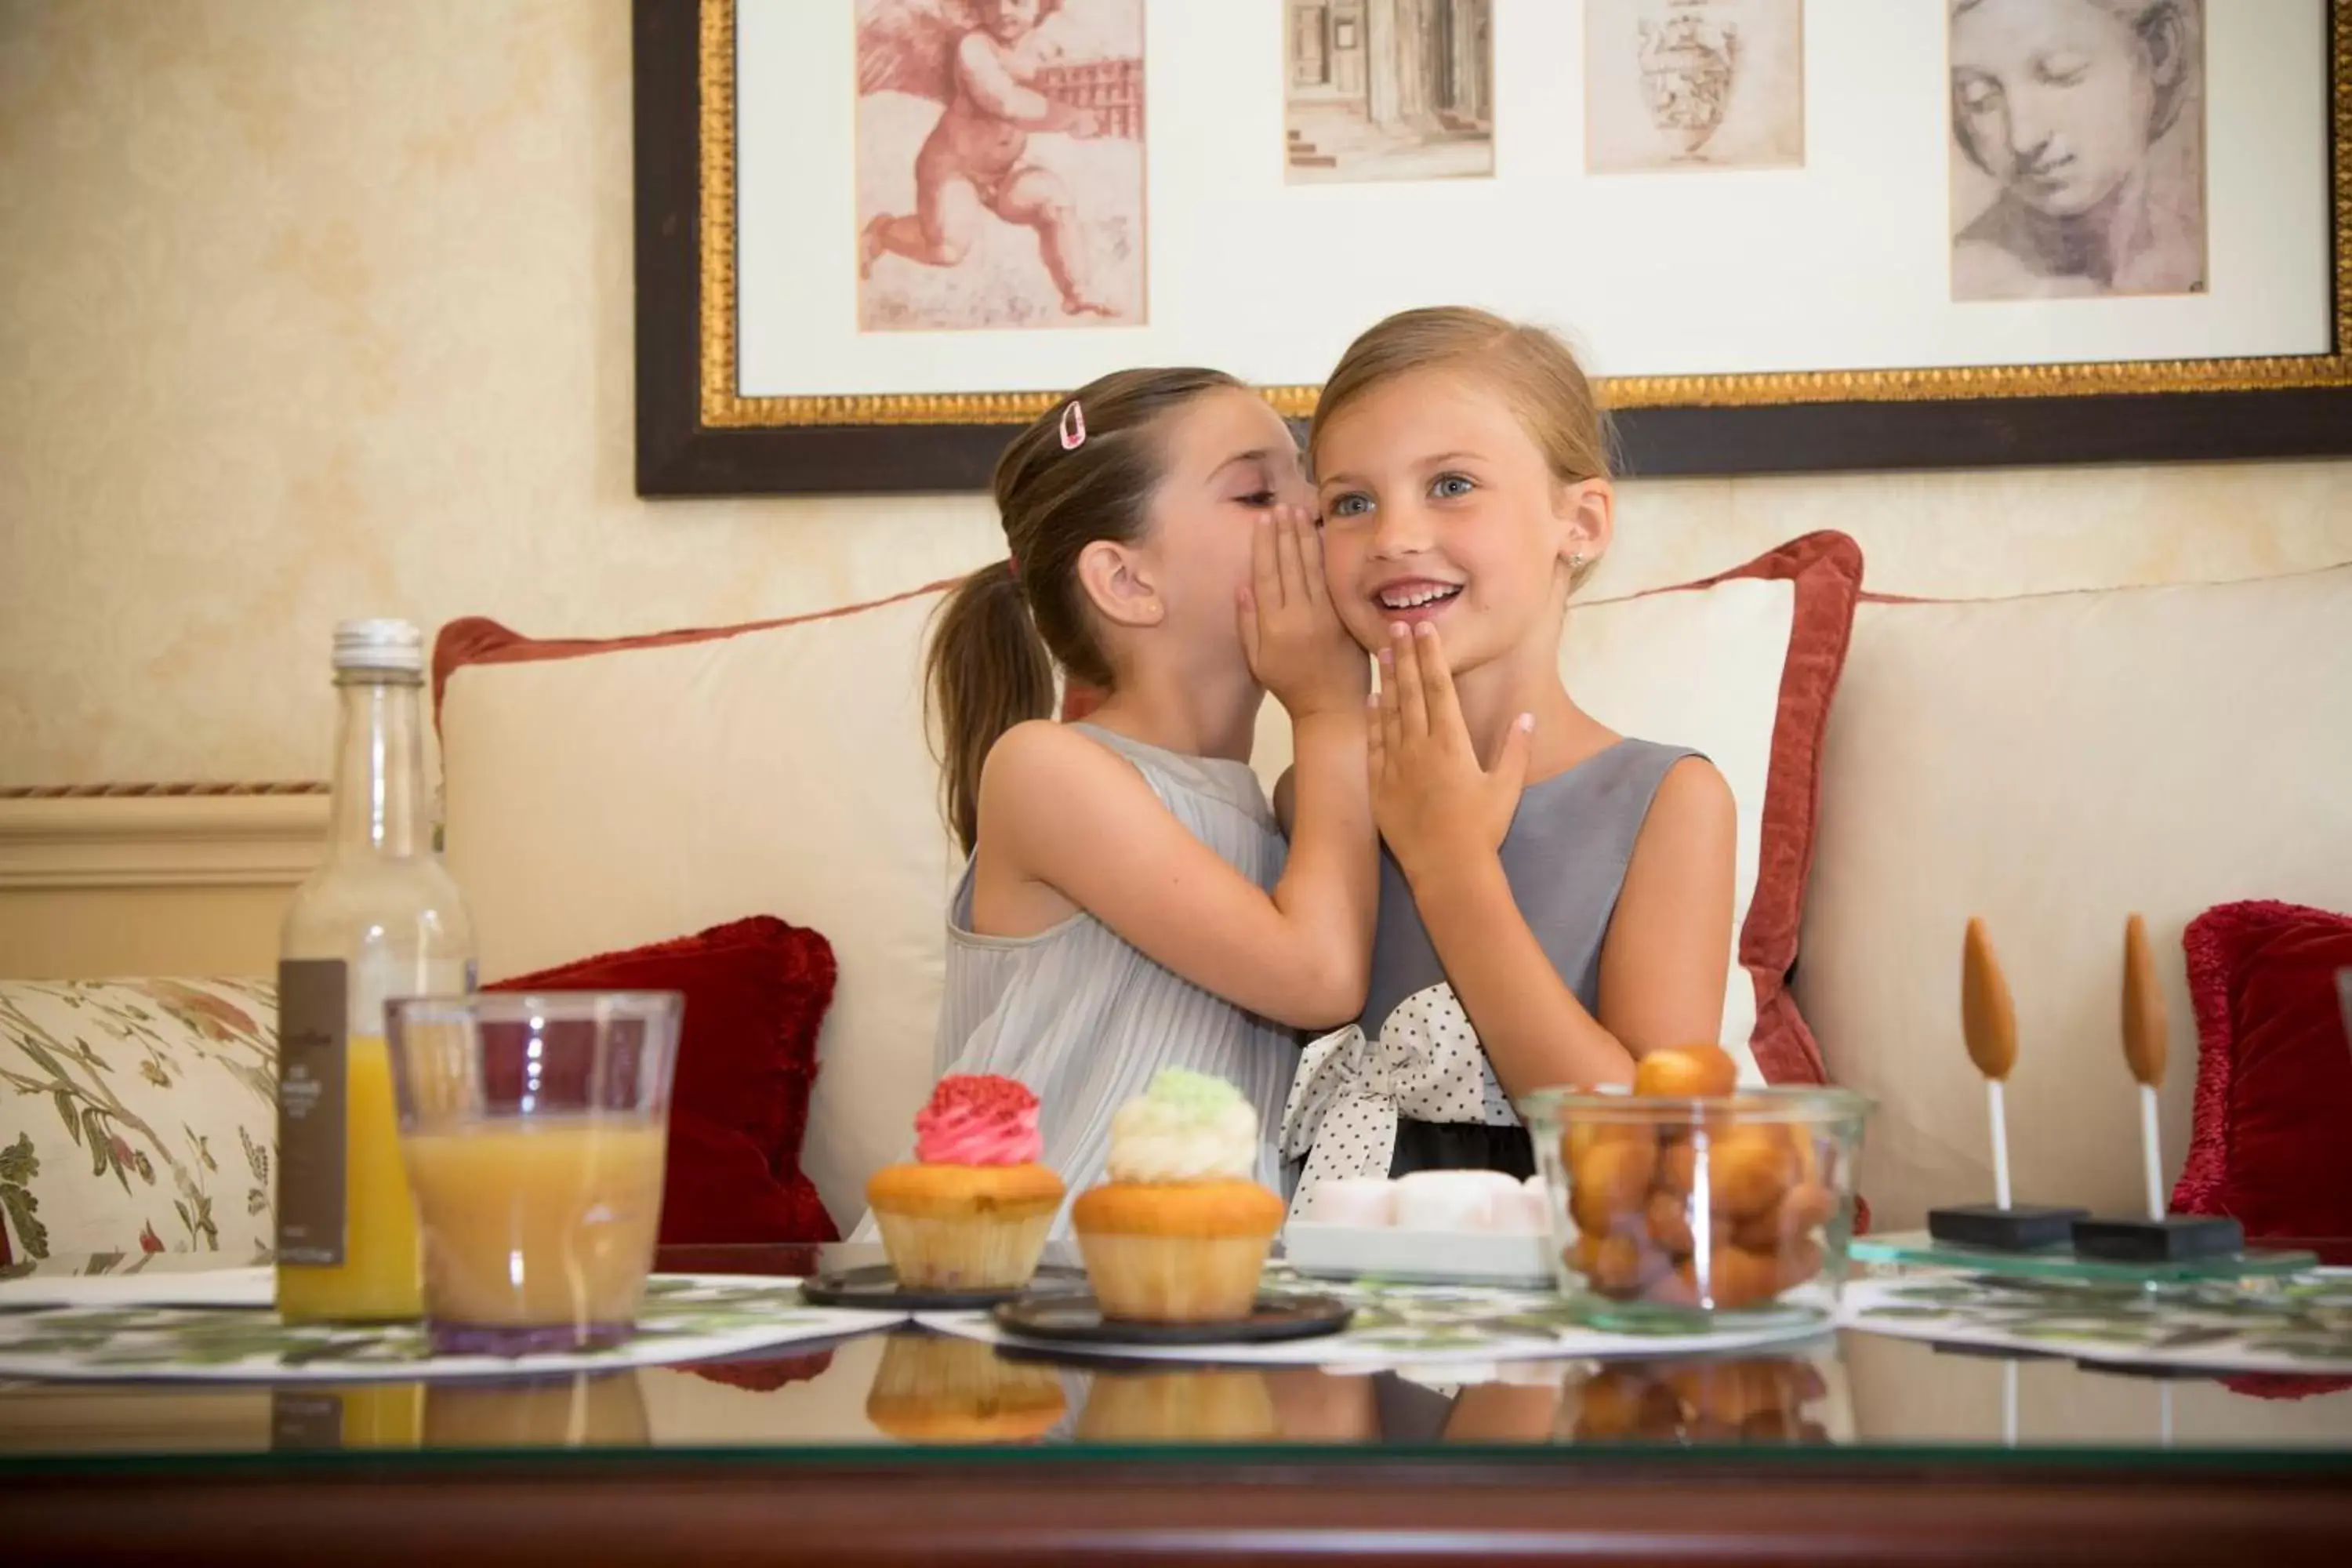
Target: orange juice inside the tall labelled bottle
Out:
[377,1278]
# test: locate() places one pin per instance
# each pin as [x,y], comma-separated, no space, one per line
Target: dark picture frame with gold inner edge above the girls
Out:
[1880,417]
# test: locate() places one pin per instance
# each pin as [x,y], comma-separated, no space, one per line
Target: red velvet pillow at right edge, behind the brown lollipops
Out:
[2273,1134]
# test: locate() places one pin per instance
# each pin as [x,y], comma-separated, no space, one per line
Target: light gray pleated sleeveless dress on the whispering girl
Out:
[1085,1019]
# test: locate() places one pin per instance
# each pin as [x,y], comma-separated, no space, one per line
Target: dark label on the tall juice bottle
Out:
[314,1111]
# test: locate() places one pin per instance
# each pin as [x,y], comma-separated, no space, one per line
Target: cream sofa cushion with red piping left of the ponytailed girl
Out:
[617,793]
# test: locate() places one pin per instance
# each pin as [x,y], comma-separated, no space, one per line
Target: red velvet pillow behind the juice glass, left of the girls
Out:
[756,993]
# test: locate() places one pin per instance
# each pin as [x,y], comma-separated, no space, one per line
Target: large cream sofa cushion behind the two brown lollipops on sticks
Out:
[2054,765]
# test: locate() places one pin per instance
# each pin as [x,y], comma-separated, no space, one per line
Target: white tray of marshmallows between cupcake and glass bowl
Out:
[1434,1226]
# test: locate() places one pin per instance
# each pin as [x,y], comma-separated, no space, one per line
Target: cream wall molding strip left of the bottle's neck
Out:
[161,840]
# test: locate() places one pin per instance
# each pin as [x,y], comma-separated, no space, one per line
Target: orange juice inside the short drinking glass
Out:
[537,1221]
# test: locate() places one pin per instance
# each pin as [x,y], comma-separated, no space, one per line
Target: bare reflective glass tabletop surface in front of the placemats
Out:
[907,1395]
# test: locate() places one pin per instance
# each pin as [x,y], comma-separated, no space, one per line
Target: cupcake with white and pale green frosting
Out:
[1180,1233]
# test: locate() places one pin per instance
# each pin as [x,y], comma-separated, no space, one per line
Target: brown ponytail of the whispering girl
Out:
[987,671]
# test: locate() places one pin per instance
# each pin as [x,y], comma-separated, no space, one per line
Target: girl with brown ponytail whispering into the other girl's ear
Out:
[1130,899]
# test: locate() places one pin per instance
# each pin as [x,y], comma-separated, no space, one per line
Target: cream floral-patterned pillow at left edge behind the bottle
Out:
[138,1118]
